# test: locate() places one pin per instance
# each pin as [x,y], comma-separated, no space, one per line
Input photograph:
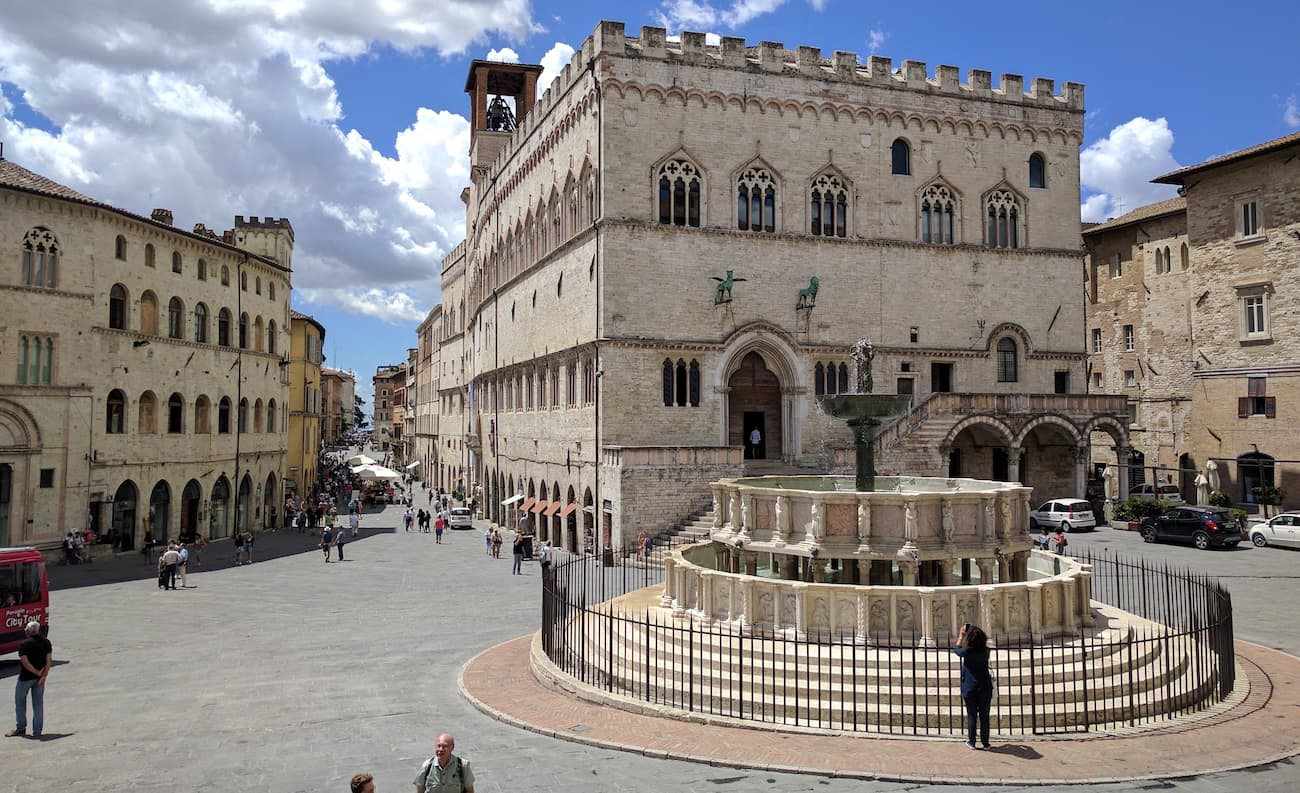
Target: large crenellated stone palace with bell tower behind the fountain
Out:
[678,246]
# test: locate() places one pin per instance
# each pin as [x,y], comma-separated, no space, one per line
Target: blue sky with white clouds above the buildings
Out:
[350,116]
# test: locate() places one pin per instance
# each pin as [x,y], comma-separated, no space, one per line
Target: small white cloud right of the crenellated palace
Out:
[1119,168]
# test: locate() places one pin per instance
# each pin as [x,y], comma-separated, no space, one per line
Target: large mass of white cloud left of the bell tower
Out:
[227,107]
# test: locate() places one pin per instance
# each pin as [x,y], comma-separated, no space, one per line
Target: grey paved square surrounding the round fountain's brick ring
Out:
[292,675]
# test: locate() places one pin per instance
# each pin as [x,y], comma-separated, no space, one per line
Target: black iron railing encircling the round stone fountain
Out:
[1175,660]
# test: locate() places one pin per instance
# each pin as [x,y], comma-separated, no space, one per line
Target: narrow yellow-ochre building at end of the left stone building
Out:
[306,404]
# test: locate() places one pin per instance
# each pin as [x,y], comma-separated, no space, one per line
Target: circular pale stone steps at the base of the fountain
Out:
[1136,673]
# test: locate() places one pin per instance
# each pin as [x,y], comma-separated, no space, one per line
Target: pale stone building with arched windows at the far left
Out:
[144,393]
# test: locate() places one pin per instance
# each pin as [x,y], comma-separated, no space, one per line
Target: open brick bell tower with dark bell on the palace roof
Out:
[491,119]
